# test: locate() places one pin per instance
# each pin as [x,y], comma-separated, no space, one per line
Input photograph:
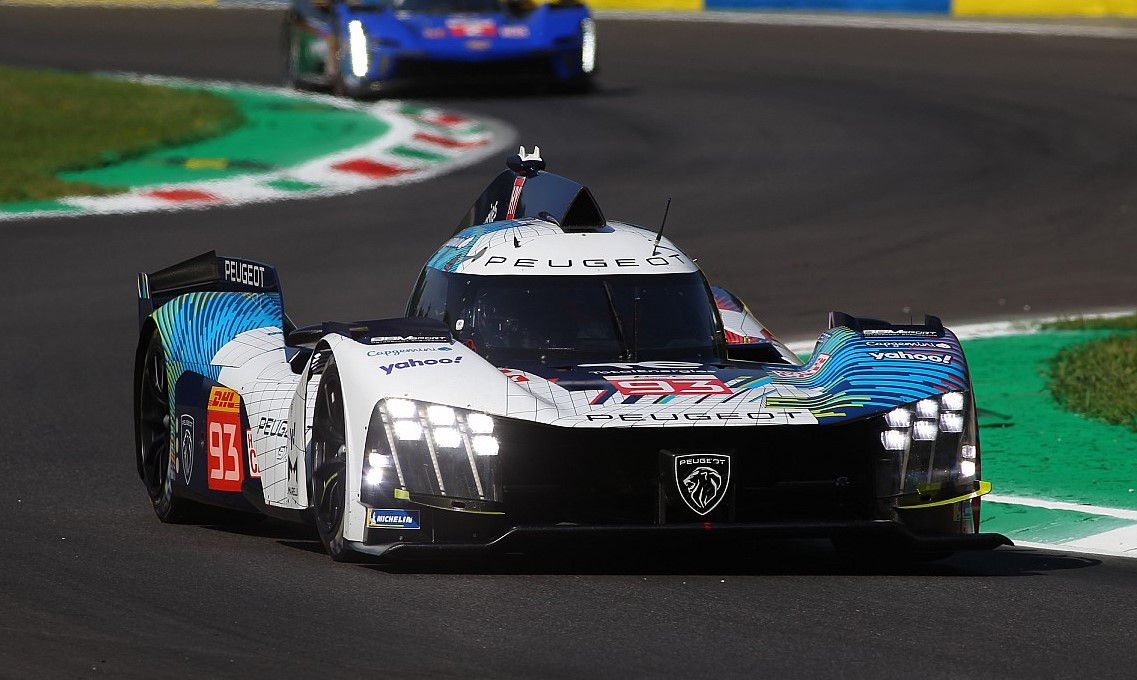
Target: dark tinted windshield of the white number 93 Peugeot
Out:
[567,320]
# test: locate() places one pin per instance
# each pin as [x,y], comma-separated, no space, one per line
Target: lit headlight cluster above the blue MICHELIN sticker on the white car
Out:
[431,450]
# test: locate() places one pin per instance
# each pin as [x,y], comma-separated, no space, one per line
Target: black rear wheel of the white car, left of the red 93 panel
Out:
[155,436]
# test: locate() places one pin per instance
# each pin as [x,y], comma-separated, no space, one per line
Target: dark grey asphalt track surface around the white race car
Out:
[879,172]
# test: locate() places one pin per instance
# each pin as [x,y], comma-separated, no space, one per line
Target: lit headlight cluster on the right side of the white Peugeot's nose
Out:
[933,444]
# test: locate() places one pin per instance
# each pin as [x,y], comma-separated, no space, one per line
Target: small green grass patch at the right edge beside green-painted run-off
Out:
[1099,379]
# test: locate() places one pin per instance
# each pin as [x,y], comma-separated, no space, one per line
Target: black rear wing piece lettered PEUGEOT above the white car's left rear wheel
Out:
[206,272]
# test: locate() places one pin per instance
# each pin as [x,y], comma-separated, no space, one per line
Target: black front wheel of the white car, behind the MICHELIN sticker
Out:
[329,467]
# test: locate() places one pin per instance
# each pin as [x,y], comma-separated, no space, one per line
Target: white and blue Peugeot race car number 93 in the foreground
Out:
[559,377]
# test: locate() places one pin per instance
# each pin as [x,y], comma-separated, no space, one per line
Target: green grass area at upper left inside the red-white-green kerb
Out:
[53,122]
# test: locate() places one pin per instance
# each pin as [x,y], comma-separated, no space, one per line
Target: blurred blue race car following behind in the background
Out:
[361,48]
